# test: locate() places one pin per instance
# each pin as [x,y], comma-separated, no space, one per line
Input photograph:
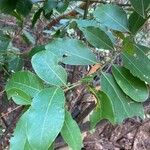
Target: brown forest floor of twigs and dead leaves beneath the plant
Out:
[132,134]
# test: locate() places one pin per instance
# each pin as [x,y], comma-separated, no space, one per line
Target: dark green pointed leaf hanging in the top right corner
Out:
[140,6]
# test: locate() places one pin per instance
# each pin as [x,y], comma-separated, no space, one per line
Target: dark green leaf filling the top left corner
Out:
[7,6]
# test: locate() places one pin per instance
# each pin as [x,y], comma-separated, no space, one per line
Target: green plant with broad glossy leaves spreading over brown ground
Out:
[43,92]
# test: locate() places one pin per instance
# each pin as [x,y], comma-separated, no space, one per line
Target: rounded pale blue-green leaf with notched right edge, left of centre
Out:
[46,66]
